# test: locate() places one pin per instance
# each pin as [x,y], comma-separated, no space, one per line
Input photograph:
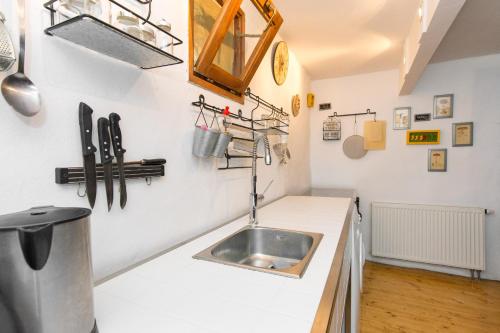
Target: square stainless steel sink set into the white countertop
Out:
[276,251]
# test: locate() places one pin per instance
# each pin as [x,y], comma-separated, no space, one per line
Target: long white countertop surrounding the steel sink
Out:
[176,293]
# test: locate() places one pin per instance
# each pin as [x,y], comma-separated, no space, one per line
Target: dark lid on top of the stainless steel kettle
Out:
[38,216]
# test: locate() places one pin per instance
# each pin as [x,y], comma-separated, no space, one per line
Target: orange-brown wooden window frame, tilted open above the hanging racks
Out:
[208,75]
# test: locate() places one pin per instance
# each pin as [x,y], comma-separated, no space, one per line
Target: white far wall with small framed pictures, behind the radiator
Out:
[399,173]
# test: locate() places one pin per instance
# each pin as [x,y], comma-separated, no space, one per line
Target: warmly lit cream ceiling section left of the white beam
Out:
[335,38]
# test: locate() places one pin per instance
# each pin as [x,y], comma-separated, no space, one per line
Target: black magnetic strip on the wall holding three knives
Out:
[132,171]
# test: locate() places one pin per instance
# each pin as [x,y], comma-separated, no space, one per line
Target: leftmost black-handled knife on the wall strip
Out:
[88,152]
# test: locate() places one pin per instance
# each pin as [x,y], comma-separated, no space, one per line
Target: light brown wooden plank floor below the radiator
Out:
[406,300]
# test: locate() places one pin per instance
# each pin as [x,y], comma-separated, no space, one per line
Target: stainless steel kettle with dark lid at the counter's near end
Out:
[46,279]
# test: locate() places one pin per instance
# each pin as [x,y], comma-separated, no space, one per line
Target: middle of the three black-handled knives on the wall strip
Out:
[106,158]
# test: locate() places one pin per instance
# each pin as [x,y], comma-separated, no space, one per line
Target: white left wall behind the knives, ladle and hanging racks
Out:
[157,121]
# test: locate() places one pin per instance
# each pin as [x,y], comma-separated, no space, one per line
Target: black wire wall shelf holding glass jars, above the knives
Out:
[94,34]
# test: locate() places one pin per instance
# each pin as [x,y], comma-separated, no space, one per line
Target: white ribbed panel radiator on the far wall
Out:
[441,235]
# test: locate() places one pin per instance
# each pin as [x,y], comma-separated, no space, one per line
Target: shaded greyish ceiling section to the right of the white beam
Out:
[475,32]
